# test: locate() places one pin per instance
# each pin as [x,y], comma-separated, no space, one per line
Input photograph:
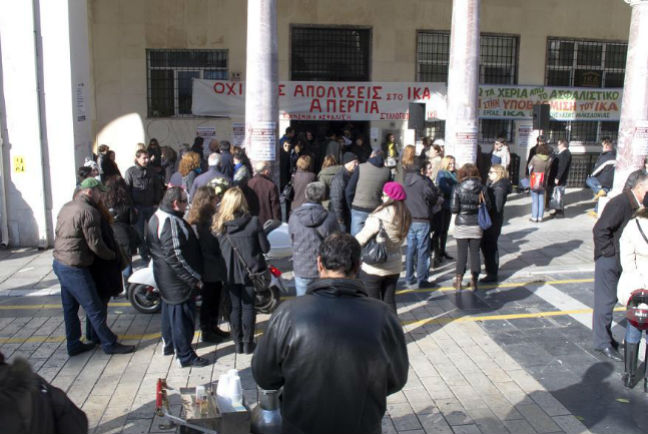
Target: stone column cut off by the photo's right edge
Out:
[632,145]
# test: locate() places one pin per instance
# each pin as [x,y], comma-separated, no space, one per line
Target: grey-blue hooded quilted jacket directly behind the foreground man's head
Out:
[308,226]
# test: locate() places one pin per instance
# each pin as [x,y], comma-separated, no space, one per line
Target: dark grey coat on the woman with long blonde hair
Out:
[246,233]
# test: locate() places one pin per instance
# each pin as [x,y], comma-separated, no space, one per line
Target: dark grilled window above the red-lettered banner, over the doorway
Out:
[330,53]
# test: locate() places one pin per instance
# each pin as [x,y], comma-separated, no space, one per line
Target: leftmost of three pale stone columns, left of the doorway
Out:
[261,83]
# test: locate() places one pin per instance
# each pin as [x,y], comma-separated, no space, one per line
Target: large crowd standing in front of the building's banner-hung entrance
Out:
[201,222]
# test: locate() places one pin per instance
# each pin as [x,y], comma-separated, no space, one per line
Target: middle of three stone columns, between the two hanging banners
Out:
[462,123]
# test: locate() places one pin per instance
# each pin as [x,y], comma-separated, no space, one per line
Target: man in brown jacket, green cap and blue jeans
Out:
[78,240]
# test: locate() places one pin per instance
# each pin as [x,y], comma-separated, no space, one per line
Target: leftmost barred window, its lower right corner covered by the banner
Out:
[170,74]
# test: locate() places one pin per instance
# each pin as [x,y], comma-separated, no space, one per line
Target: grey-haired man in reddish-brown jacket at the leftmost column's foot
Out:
[265,204]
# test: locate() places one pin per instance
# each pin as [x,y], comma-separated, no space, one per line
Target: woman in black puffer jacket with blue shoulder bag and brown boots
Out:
[466,199]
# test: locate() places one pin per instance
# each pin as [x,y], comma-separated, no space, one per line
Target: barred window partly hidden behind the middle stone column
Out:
[498,64]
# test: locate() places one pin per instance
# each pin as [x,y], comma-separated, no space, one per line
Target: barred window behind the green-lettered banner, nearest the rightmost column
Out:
[581,63]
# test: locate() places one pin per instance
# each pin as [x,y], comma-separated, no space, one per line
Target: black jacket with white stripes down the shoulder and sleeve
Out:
[177,262]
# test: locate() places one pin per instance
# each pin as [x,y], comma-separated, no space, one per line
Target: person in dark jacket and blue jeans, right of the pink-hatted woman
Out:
[421,198]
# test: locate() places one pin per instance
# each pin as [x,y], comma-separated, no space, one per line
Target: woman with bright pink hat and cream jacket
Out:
[389,223]
